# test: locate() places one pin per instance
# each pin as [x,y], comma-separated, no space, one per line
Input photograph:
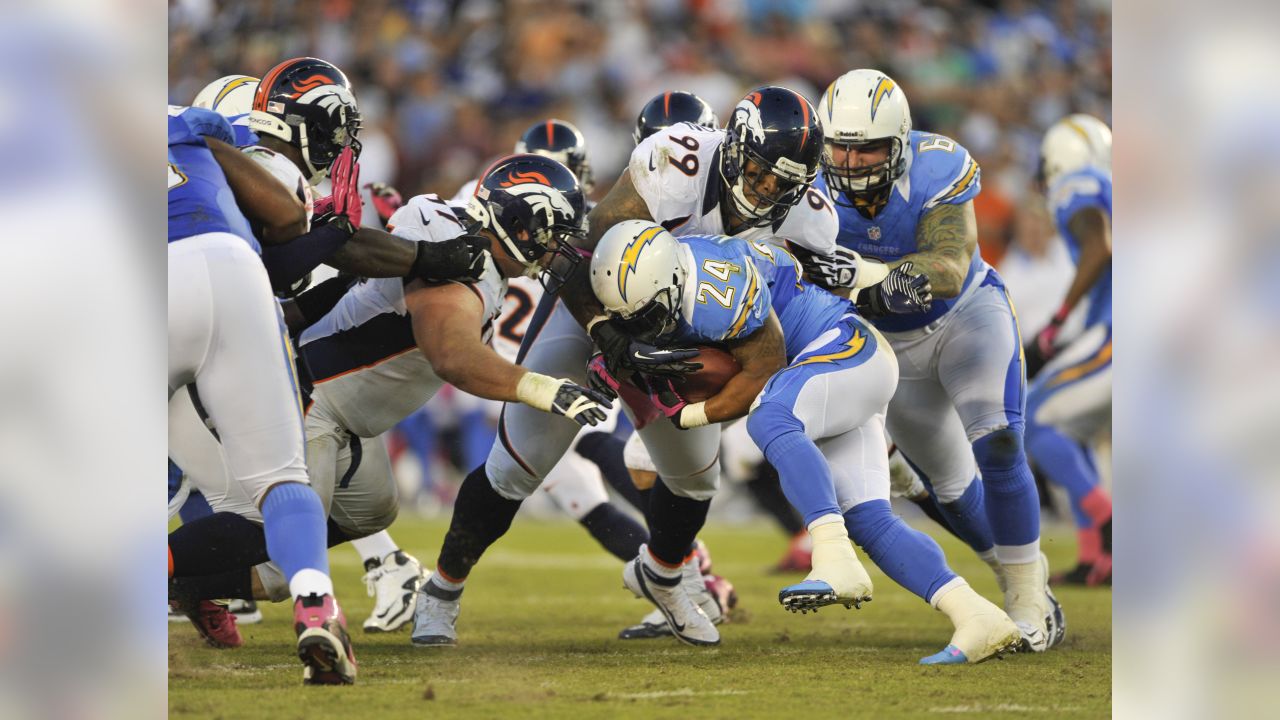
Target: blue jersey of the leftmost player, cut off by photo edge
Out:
[200,200]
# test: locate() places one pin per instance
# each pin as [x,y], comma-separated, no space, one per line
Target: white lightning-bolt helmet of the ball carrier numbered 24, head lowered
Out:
[638,274]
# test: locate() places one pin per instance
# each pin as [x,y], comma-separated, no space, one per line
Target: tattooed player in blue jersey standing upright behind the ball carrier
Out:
[907,197]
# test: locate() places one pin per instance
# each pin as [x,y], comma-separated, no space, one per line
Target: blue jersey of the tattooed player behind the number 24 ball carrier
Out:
[939,172]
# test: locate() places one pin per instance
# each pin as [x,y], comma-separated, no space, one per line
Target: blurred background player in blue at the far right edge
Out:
[1069,402]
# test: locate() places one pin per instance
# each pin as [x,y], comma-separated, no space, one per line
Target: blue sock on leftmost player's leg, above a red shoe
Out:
[296,528]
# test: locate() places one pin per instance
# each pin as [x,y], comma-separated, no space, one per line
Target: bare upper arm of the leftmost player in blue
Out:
[272,208]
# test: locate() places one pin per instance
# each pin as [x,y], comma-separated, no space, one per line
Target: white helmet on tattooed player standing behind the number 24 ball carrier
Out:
[865,107]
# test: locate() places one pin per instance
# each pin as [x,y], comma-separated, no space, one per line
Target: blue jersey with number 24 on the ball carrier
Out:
[733,286]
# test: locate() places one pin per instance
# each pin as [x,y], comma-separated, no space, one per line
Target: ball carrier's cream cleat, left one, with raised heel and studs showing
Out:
[838,576]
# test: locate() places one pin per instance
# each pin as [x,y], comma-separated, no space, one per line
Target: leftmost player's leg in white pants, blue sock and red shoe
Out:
[249,389]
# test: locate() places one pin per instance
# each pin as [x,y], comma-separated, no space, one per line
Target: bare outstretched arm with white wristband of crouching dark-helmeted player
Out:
[446,321]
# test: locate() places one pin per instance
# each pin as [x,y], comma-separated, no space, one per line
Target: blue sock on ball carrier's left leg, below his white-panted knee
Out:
[802,468]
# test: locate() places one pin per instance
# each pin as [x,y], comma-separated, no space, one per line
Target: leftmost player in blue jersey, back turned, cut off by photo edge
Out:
[226,339]
